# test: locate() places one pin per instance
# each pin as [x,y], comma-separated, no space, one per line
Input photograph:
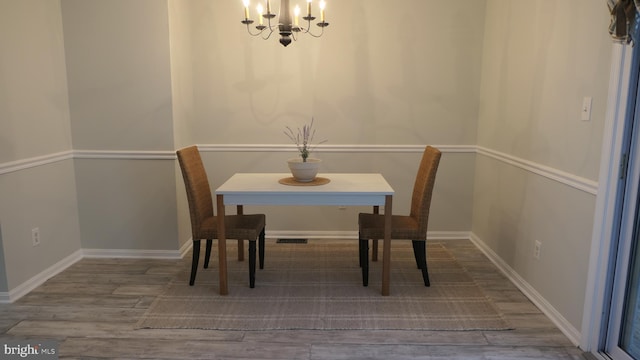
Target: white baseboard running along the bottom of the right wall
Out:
[536,298]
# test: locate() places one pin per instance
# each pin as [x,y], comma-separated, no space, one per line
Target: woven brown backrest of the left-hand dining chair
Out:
[197,186]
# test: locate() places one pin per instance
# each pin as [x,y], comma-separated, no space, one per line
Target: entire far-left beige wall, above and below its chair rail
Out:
[34,122]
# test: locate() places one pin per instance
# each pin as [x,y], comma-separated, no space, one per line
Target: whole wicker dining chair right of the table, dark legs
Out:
[412,227]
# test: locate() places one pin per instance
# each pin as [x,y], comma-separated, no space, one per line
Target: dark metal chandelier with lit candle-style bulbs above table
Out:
[288,28]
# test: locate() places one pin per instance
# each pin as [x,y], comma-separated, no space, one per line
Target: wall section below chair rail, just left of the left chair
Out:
[127,204]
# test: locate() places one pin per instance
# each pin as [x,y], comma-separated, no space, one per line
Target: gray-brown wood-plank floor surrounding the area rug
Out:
[91,308]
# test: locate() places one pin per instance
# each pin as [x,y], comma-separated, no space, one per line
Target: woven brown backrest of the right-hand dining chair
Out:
[423,187]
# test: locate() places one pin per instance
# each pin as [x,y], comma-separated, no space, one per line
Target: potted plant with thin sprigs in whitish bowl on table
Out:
[303,168]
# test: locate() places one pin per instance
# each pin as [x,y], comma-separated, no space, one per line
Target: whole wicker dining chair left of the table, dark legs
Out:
[204,224]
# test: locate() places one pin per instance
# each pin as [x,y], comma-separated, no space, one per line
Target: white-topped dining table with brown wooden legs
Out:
[343,189]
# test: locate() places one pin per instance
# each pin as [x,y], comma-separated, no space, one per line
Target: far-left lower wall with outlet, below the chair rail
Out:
[42,197]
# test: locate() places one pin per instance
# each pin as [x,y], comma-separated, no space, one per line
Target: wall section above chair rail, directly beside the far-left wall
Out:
[117,55]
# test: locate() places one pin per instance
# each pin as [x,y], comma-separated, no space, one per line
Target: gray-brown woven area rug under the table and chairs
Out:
[318,286]
